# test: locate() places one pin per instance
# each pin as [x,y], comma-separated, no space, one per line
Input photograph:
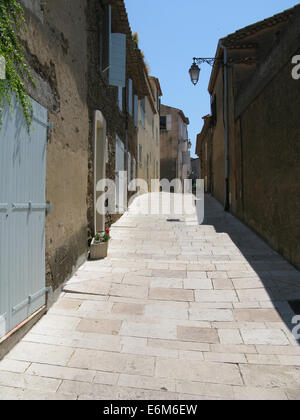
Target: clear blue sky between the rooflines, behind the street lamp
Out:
[172,32]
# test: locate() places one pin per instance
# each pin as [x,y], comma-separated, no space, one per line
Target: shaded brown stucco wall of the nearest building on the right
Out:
[270,137]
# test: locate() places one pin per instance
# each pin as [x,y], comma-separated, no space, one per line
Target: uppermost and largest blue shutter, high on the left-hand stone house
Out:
[117,71]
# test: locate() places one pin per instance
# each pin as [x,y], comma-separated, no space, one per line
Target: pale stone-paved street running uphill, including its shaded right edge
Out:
[177,311]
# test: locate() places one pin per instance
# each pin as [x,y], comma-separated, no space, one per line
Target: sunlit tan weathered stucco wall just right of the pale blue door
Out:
[57,55]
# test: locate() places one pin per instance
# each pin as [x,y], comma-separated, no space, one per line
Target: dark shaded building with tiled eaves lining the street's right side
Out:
[263,130]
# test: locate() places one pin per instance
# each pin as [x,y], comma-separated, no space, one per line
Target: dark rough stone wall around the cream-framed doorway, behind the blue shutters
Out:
[104,98]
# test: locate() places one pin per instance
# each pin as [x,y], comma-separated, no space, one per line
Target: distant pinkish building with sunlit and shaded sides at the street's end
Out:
[175,159]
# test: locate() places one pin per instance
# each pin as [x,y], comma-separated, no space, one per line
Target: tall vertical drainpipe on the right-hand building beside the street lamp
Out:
[226,104]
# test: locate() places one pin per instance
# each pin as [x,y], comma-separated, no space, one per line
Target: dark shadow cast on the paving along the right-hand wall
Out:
[281,280]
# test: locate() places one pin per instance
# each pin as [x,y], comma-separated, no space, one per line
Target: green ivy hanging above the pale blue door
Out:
[17,71]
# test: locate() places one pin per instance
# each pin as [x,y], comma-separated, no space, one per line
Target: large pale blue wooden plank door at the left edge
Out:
[22,216]
